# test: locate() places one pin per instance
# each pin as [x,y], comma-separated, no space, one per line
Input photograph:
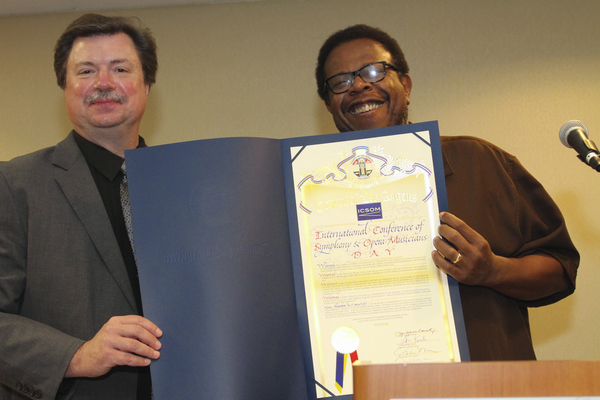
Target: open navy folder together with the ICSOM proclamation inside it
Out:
[273,264]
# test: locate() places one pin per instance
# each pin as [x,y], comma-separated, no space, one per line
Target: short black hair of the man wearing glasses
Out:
[353,32]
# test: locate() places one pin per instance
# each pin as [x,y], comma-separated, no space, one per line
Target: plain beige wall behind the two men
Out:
[511,72]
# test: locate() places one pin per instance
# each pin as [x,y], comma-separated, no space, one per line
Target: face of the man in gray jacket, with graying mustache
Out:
[105,93]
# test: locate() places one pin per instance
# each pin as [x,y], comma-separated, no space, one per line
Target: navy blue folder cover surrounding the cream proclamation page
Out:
[220,266]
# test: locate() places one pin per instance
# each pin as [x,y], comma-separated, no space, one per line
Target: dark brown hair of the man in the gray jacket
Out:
[89,25]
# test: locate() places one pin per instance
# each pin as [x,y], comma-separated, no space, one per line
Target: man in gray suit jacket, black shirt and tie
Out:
[70,310]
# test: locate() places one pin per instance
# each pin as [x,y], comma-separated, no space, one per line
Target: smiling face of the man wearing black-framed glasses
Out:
[366,105]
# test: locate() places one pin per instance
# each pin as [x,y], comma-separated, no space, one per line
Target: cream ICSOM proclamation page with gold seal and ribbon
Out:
[367,210]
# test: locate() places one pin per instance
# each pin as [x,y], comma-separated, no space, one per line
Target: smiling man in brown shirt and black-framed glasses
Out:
[507,243]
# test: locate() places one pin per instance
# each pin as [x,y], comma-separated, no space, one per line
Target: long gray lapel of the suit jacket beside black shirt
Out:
[74,177]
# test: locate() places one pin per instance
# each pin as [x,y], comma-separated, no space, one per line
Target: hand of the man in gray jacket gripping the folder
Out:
[129,340]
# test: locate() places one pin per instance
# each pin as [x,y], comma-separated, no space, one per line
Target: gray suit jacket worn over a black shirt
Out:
[62,276]
